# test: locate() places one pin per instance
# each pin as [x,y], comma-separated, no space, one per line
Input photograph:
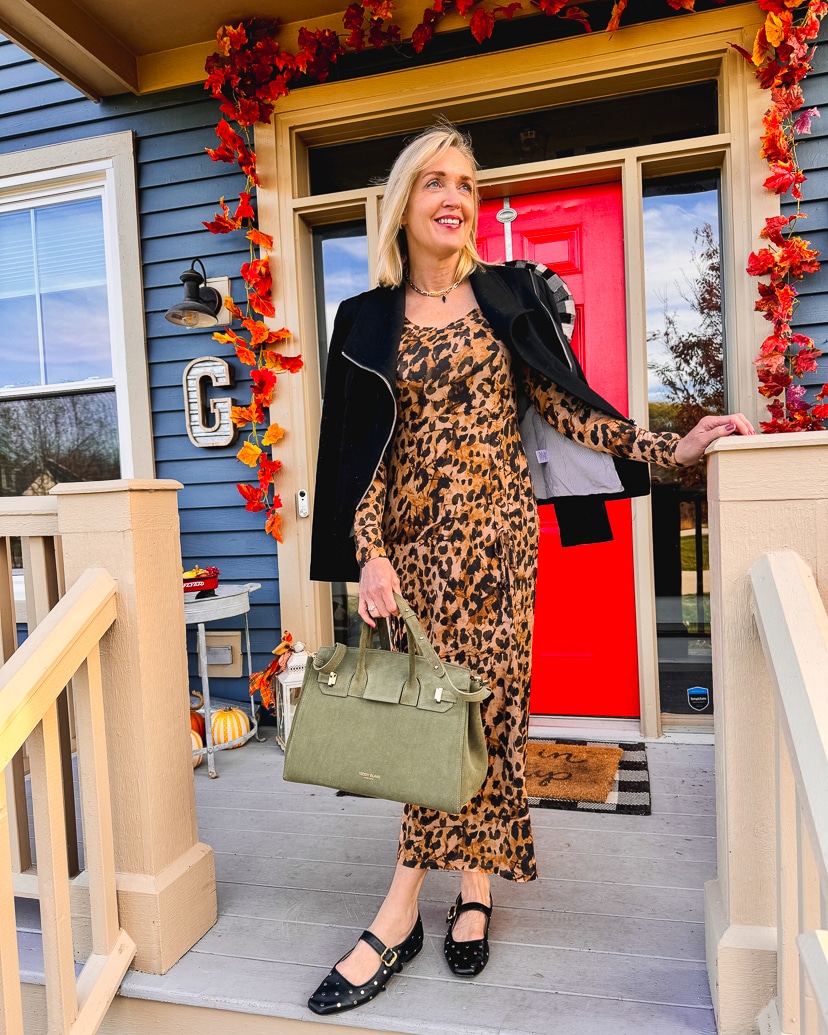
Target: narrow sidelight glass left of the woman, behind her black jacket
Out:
[341,267]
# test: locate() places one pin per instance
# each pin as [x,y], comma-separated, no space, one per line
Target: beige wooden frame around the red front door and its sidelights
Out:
[657,55]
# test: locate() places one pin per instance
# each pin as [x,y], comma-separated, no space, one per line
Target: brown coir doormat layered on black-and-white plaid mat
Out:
[588,777]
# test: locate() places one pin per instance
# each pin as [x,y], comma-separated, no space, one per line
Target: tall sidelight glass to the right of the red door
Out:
[686,354]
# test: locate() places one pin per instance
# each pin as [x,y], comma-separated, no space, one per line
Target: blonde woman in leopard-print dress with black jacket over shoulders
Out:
[424,488]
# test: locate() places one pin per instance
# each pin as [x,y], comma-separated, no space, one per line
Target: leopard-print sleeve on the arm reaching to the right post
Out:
[599,431]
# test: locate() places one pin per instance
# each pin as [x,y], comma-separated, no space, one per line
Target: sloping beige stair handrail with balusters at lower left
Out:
[65,646]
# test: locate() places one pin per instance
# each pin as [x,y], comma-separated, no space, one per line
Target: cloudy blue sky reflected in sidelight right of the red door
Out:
[669,243]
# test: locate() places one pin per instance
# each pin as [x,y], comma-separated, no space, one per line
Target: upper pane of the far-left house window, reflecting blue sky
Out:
[54,310]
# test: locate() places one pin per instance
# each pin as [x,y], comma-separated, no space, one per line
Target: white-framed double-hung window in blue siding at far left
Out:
[58,411]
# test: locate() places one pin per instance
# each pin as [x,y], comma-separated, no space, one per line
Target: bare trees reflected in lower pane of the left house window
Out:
[51,439]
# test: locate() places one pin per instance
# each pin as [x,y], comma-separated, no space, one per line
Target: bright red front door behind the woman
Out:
[585,657]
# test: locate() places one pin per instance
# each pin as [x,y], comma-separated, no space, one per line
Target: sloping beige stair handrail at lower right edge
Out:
[793,629]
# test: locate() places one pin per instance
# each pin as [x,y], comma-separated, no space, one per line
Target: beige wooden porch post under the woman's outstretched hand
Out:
[765,493]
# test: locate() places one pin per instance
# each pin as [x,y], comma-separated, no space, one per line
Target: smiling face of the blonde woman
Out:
[440,213]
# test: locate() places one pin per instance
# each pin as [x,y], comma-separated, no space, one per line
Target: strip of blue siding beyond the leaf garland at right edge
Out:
[811,317]
